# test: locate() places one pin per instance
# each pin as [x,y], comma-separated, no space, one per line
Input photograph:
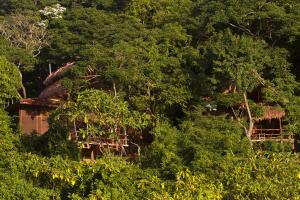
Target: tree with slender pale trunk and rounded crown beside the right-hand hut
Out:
[239,64]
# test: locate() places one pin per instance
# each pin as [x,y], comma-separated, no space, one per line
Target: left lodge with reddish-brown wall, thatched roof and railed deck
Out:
[34,112]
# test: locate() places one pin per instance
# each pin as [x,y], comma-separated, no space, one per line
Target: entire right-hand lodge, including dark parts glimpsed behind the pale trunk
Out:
[269,126]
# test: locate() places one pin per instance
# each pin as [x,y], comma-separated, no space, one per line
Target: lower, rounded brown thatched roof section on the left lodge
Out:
[55,90]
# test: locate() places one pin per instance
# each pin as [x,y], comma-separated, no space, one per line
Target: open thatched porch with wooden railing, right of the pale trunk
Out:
[269,127]
